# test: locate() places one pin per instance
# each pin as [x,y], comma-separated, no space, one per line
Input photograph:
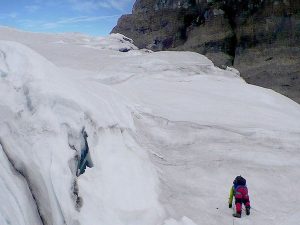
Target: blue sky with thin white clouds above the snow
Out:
[94,17]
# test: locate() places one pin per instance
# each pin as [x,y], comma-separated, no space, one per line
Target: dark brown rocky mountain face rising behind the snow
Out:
[261,38]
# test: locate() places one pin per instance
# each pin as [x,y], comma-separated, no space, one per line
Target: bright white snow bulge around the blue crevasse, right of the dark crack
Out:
[37,128]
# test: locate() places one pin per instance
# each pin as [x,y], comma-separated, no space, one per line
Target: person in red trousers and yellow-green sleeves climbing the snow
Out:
[240,192]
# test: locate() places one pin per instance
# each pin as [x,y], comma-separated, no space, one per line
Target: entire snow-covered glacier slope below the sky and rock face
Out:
[167,133]
